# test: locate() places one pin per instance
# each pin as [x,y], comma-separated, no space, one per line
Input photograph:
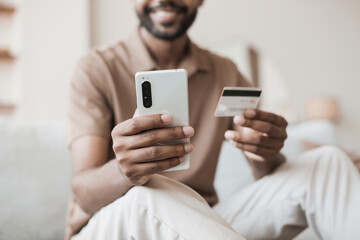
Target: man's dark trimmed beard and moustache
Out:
[184,24]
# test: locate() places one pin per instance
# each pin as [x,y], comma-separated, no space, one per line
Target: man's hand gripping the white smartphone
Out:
[138,156]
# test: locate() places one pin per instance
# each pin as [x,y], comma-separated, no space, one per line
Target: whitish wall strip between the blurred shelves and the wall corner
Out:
[55,34]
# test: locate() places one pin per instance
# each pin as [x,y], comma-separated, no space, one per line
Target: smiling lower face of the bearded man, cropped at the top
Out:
[167,19]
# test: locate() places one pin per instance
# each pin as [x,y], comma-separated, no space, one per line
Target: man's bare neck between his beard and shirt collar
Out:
[167,54]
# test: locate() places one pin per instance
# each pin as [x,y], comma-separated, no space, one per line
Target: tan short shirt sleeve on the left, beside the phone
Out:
[89,112]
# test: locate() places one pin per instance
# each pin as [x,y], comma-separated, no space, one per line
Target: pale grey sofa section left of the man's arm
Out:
[34,180]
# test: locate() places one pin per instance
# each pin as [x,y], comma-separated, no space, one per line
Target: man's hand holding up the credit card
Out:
[260,135]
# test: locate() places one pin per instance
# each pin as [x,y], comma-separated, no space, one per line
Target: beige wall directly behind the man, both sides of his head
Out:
[314,44]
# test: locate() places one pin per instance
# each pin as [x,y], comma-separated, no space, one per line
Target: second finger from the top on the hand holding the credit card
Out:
[262,126]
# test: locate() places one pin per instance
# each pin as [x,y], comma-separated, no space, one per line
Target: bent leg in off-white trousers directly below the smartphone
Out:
[161,209]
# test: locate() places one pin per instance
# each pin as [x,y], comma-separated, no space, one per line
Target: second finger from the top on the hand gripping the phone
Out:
[152,137]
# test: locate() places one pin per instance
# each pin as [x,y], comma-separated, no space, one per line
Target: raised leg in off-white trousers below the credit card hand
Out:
[320,189]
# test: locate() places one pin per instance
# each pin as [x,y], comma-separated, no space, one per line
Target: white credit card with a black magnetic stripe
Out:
[234,100]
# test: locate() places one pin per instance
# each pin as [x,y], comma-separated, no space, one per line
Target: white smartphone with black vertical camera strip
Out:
[165,92]
